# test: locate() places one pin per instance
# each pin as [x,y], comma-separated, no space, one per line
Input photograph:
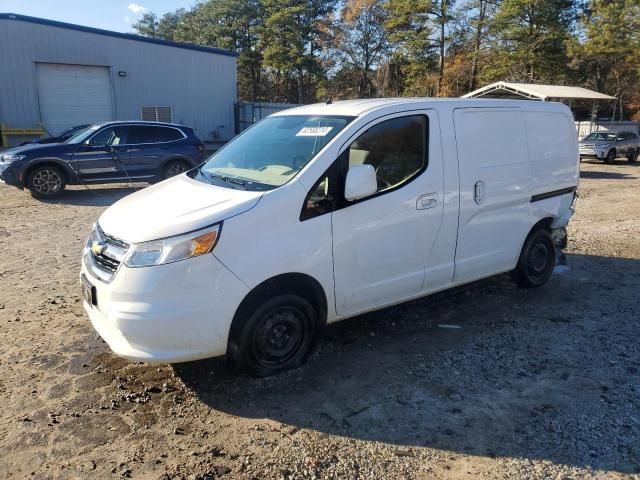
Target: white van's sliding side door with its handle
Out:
[495,190]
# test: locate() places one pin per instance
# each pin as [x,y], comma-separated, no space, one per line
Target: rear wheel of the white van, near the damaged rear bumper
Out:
[537,260]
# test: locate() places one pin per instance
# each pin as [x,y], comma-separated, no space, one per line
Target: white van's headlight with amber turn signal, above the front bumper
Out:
[173,249]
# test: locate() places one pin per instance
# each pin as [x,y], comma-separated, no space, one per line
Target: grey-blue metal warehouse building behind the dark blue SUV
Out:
[56,75]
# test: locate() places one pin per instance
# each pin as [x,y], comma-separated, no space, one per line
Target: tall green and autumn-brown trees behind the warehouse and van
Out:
[300,51]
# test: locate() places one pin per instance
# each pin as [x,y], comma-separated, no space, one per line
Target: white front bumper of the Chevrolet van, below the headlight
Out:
[169,313]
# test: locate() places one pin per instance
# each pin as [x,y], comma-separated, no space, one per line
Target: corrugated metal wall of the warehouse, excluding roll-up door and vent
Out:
[199,86]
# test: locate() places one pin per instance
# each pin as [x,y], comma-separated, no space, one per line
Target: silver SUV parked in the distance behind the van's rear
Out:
[608,146]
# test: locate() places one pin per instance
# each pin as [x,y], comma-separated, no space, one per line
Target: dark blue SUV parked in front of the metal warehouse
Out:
[103,153]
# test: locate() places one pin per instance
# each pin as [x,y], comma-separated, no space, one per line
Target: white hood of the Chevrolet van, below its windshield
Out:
[173,207]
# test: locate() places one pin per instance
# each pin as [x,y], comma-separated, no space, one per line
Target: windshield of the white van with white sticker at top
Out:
[270,153]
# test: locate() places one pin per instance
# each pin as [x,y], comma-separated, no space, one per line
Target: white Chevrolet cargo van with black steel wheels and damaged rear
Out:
[323,212]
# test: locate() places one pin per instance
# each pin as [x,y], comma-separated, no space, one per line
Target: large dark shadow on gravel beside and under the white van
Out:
[539,374]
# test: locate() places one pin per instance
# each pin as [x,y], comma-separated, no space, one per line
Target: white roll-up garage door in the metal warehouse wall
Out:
[72,95]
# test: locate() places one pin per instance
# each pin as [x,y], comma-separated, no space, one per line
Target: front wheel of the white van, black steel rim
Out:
[276,336]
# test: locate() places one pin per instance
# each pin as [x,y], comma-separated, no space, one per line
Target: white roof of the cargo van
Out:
[362,106]
